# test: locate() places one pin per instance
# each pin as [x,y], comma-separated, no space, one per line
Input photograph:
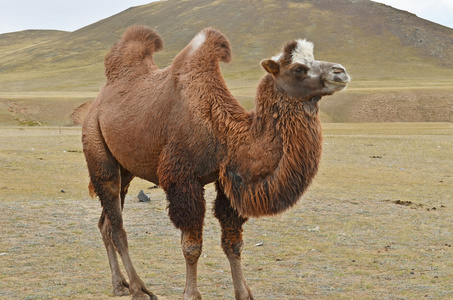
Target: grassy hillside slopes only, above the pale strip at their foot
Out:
[379,45]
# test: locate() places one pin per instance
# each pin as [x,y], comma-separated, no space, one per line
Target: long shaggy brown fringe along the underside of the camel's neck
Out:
[301,142]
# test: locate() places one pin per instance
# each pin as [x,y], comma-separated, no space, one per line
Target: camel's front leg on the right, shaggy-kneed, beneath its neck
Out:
[231,224]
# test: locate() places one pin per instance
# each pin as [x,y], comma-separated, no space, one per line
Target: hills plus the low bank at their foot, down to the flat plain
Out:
[388,52]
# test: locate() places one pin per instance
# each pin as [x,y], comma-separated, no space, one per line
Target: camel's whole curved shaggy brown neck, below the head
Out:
[271,168]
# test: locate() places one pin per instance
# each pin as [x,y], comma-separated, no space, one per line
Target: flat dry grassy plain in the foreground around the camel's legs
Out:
[375,224]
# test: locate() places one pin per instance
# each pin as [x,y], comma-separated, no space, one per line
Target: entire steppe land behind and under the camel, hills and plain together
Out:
[375,224]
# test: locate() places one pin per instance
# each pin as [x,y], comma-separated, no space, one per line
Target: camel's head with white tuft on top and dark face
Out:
[299,75]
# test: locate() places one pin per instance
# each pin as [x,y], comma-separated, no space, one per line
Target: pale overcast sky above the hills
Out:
[70,15]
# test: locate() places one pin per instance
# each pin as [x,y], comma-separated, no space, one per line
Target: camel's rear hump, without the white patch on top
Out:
[133,54]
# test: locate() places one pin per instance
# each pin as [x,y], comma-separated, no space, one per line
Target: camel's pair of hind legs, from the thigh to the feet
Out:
[110,183]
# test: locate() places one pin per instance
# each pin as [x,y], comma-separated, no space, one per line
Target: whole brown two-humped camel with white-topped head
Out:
[181,128]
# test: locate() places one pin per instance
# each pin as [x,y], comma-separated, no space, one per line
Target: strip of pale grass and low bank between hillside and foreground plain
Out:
[363,101]
